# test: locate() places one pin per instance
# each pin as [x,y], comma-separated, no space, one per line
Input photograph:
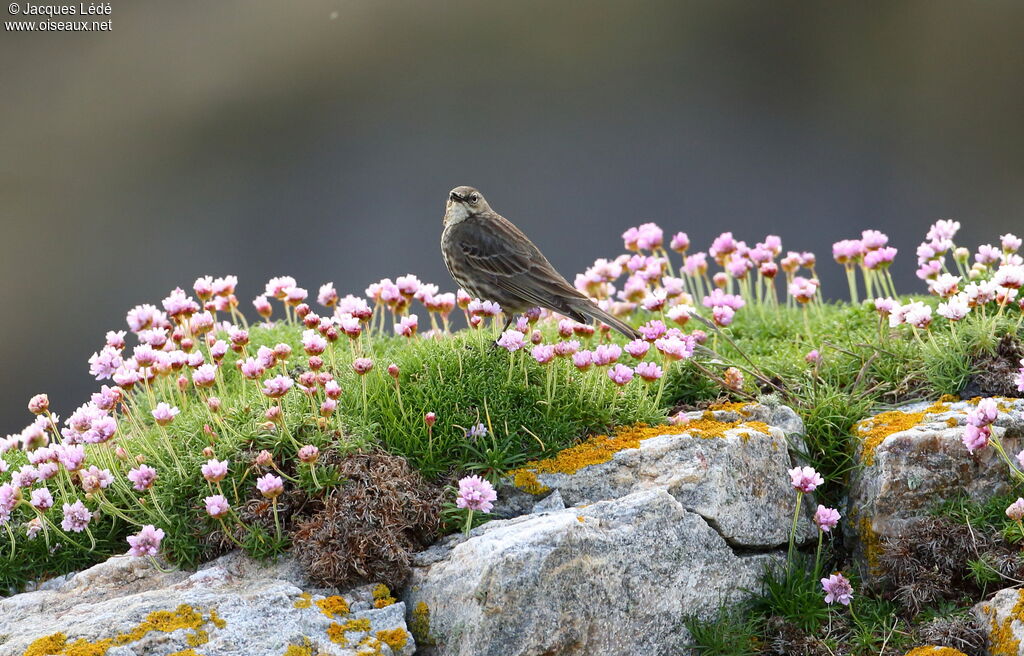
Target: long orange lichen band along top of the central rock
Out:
[601,449]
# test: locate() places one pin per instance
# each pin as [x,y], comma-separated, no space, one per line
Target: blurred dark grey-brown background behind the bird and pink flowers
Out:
[320,139]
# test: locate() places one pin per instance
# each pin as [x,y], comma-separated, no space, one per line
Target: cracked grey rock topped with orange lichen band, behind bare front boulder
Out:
[730,466]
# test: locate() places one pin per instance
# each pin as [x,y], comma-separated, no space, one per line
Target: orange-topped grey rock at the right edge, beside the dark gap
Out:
[914,459]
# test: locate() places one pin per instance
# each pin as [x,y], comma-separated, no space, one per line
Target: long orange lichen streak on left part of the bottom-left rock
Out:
[165,622]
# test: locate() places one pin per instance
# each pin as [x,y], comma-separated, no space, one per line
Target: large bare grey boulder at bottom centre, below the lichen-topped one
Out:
[604,580]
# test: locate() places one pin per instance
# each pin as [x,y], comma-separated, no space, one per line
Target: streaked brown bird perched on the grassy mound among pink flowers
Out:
[492,259]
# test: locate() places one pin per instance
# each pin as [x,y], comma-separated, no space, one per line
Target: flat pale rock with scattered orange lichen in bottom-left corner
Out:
[232,606]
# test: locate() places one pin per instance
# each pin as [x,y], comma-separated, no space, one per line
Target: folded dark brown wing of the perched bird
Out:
[500,250]
